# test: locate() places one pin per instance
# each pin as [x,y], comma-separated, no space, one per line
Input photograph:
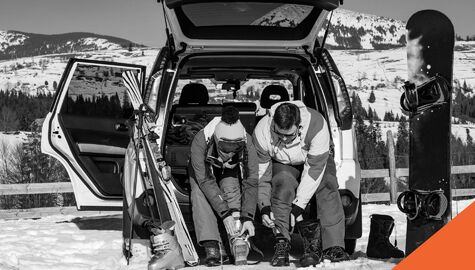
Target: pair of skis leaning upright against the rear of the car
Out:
[158,174]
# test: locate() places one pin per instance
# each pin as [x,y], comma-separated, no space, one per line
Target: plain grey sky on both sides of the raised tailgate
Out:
[141,21]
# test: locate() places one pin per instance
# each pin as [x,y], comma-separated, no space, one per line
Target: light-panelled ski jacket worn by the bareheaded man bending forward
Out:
[311,148]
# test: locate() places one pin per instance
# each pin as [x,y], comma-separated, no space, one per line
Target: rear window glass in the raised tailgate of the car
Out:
[247,20]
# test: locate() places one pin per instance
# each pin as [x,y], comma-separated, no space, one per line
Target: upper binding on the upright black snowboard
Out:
[417,99]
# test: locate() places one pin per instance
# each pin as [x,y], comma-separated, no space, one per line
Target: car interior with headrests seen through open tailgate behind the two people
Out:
[209,82]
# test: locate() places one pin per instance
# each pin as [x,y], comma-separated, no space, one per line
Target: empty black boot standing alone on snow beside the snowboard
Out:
[378,240]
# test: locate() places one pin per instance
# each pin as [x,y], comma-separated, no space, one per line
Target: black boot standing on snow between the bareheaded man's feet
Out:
[310,231]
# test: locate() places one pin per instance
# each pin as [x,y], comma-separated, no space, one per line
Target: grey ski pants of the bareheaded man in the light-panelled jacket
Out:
[285,180]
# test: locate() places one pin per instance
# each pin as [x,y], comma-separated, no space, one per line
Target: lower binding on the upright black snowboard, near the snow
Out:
[425,205]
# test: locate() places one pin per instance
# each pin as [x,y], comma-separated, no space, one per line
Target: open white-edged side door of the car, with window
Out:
[86,130]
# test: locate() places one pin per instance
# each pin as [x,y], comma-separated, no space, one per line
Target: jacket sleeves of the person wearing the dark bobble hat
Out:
[201,147]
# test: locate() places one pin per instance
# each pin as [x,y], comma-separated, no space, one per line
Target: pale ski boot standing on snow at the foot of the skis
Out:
[165,248]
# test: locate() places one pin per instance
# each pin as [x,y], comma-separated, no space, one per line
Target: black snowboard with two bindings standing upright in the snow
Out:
[427,99]
